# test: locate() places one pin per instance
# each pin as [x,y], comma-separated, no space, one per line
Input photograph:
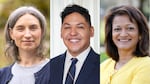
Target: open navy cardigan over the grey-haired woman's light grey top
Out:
[41,77]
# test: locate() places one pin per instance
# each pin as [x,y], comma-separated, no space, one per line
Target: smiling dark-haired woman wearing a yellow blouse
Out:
[127,45]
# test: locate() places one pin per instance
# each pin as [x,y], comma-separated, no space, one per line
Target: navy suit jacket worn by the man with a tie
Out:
[89,74]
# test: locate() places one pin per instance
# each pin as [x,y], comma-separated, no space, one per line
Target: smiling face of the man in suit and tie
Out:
[76,33]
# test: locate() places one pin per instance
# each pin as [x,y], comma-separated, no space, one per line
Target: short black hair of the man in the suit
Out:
[76,8]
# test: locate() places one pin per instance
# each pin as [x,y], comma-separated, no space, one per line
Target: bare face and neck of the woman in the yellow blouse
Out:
[125,35]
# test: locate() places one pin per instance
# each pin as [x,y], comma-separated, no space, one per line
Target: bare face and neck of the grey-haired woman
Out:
[27,36]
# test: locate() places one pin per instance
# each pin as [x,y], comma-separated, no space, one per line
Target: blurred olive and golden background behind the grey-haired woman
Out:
[7,6]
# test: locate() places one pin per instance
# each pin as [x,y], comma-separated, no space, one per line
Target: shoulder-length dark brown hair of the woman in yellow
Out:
[142,48]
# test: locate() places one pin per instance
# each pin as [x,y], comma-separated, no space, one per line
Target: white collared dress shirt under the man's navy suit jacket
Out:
[81,58]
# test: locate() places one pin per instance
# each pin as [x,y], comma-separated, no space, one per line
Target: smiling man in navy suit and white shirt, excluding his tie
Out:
[76,31]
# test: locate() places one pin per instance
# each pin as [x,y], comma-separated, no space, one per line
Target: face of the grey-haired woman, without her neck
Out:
[26,33]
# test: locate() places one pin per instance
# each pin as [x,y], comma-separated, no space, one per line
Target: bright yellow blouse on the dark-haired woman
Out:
[136,71]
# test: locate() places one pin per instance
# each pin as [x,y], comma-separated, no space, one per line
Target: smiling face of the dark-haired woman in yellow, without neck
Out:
[125,33]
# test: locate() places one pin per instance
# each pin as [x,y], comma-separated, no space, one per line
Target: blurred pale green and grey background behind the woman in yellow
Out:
[105,5]
